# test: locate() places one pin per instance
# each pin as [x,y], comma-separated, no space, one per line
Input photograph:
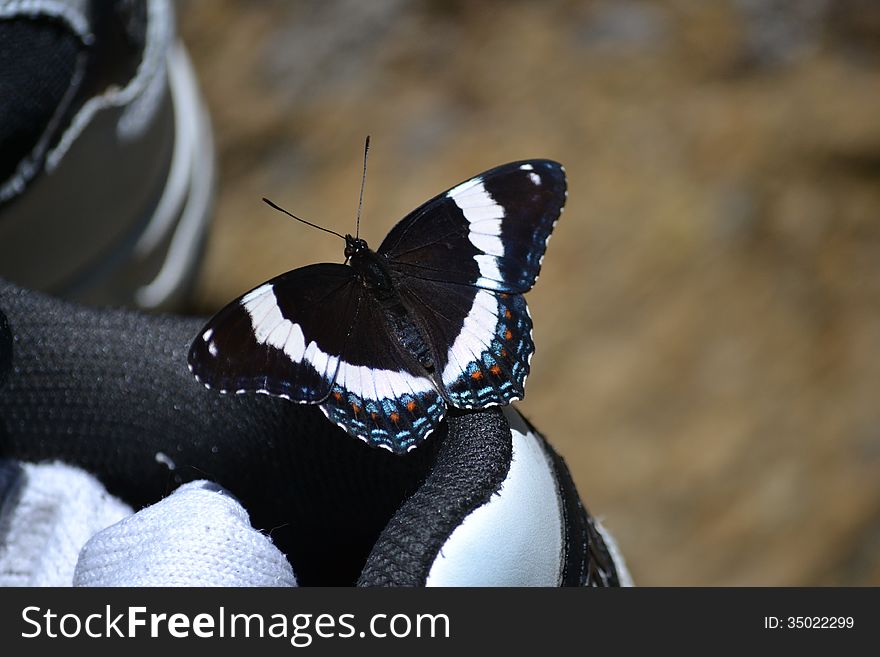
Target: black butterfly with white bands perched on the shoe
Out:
[386,343]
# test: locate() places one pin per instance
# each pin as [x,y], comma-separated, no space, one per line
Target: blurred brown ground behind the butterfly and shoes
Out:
[708,317]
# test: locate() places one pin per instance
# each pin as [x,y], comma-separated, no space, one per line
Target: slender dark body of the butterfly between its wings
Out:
[375,275]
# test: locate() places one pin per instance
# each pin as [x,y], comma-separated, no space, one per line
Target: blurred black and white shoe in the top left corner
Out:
[106,155]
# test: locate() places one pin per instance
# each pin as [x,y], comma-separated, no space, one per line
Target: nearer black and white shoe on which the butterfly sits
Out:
[485,502]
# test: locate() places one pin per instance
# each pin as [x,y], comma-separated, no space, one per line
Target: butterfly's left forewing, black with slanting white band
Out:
[284,338]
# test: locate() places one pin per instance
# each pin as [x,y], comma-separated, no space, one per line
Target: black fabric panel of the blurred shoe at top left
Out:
[37,61]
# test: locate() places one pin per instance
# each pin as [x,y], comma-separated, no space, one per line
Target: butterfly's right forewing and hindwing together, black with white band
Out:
[463,260]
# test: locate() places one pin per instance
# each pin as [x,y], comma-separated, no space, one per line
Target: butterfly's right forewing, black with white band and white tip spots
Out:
[490,231]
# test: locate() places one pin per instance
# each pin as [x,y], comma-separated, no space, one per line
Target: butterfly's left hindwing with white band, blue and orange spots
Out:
[381,393]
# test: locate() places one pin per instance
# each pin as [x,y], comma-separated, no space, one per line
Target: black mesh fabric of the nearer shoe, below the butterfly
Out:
[109,391]
